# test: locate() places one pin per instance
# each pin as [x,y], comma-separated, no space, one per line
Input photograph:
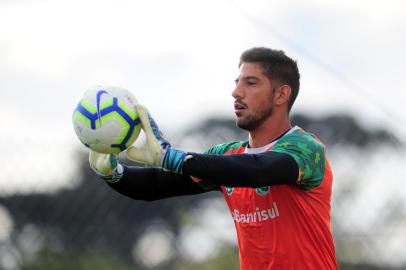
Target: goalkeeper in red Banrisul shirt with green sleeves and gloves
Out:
[277,184]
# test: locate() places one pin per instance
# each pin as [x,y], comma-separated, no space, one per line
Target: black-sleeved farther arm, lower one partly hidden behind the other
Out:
[150,184]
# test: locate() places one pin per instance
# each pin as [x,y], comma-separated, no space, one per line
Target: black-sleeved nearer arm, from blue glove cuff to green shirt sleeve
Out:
[243,170]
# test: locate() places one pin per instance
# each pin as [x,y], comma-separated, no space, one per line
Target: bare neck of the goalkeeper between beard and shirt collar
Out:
[271,129]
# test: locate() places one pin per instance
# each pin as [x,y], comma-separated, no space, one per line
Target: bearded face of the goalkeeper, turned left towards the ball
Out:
[253,97]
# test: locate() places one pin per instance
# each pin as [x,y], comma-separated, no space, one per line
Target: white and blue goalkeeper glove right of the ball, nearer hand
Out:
[157,151]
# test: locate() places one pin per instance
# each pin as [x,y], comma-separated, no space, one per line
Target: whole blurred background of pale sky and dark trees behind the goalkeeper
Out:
[180,58]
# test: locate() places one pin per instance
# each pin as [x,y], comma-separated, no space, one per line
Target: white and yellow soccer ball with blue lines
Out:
[105,120]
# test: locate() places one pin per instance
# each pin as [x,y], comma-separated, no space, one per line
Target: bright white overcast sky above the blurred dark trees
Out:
[179,58]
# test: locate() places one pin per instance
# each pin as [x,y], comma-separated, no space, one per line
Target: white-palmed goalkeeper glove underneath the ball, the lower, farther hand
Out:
[106,166]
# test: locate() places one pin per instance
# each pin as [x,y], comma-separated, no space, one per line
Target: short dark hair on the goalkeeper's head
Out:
[277,66]
